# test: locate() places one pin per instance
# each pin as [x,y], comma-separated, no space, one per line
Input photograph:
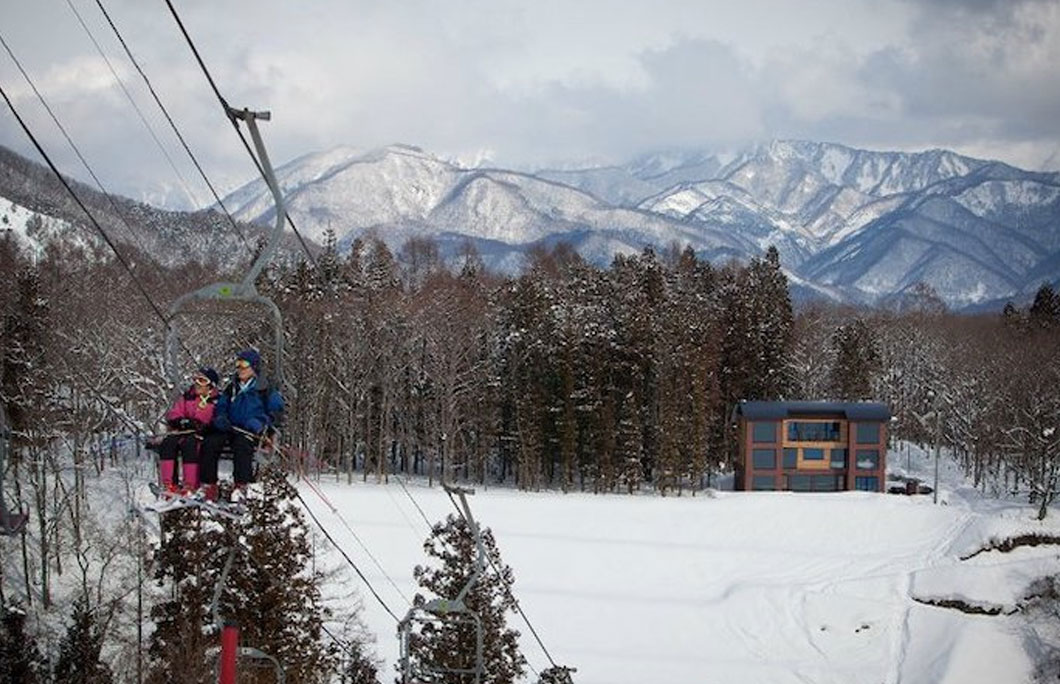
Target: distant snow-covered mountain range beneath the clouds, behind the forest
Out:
[851,224]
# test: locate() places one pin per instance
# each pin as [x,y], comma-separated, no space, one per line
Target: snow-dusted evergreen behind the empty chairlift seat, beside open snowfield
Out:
[449,644]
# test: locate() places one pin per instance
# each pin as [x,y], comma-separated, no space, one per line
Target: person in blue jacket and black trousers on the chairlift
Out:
[245,412]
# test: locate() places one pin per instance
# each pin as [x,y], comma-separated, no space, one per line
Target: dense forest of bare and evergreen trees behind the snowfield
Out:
[568,377]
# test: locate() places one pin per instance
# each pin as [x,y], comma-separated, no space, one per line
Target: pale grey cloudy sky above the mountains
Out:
[529,83]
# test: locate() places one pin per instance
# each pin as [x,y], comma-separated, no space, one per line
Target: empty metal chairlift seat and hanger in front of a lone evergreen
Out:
[453,612]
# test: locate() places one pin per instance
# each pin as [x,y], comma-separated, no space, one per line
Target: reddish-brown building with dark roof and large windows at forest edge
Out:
[811,447]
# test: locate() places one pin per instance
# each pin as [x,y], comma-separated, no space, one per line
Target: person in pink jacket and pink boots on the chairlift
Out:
[189,417]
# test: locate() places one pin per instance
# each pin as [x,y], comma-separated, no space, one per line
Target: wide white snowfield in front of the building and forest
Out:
[767,588]
